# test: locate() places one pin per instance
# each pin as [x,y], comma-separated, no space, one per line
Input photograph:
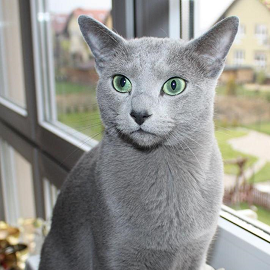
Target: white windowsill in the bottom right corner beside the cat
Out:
[236,248]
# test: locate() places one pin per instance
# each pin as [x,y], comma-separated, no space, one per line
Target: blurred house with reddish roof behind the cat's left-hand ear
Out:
[72,57]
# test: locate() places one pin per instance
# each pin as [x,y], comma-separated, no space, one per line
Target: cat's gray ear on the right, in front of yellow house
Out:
[214,45]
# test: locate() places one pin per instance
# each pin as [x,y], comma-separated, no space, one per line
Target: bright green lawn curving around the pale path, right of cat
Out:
[228,152]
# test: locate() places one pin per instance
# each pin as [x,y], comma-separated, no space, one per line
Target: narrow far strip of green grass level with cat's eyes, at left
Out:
[63,88]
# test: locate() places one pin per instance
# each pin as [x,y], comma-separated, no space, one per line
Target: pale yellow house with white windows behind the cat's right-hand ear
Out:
[251,48]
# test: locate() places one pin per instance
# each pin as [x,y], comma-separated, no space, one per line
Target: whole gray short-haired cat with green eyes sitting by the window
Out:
[148,196]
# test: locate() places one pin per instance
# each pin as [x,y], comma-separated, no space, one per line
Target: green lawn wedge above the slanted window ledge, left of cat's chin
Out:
[89,123]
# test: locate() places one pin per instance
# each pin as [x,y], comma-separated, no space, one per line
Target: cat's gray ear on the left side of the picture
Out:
[102,41]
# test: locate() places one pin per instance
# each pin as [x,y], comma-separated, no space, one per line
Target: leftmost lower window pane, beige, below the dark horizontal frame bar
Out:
[17,182]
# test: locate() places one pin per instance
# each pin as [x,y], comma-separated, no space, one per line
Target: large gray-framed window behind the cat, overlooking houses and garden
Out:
[49,116]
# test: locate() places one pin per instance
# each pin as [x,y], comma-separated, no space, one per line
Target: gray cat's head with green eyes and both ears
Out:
[157,91]
